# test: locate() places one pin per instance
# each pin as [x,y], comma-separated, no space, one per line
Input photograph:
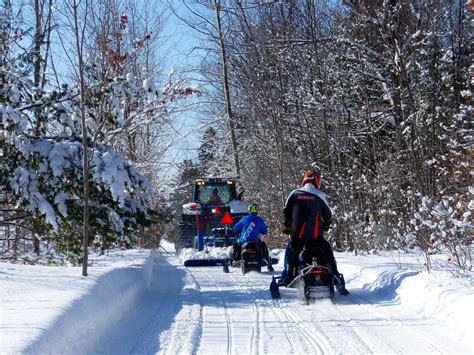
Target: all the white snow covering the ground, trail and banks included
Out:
[144,303]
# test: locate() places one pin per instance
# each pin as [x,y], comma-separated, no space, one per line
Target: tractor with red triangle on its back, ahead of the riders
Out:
[207,220]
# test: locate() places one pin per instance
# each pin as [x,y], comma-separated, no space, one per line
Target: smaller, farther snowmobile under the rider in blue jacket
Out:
[251,259]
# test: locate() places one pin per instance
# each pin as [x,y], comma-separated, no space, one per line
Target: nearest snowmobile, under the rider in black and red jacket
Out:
[314,280]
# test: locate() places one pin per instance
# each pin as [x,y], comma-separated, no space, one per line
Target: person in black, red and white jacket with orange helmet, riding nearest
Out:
[306,216]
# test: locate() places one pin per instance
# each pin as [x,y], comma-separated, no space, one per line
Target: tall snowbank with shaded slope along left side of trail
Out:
[43,308]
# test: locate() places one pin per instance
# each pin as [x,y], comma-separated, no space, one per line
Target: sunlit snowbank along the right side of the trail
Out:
[389,278]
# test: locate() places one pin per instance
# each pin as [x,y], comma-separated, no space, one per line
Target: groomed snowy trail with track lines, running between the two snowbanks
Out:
[204,311]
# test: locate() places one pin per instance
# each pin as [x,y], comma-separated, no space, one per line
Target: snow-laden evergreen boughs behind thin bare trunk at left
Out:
[42,173]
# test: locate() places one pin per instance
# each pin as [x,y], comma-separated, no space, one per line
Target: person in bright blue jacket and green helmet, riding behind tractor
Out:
[250,227]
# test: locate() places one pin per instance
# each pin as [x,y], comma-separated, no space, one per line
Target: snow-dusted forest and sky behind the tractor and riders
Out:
[378,93]
